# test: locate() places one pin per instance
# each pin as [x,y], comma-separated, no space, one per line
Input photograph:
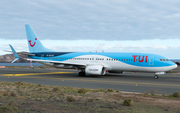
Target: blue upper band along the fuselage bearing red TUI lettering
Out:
[146,63]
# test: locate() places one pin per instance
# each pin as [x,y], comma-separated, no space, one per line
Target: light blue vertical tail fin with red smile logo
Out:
[34,43]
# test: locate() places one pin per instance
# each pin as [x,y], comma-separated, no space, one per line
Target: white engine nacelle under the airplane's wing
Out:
[95,70]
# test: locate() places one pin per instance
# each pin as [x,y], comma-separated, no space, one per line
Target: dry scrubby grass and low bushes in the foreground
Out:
[31,98]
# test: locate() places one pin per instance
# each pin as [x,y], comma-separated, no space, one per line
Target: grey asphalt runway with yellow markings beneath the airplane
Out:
[129,82]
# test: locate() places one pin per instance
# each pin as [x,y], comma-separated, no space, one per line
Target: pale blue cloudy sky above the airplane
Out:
[145,26]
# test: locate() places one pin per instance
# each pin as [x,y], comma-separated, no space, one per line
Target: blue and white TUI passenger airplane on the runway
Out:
[94,63]
